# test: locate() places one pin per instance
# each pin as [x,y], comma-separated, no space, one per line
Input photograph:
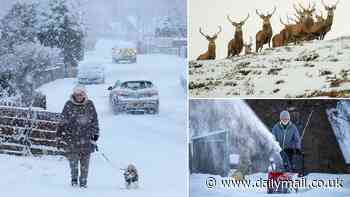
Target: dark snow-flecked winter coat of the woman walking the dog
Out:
[78,126]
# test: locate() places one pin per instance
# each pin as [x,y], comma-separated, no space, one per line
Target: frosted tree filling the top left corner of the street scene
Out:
[19,25]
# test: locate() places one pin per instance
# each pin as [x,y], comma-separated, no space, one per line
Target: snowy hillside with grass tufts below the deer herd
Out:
[313,69]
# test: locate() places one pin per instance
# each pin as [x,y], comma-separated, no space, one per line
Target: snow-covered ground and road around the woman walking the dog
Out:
[154,143]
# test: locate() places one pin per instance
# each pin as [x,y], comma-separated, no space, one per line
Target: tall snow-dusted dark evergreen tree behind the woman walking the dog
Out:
[62,28]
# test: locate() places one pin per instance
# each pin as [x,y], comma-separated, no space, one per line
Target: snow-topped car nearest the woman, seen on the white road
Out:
[134,96]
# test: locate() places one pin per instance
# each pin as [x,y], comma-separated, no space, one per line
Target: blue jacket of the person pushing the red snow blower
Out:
[288,137]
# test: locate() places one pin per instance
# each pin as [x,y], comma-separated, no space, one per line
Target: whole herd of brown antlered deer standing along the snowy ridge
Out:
[304,28]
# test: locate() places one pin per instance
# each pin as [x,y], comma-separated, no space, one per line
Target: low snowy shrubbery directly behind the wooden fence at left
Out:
[21,96]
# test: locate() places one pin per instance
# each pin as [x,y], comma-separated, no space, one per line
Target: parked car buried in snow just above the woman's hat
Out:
[91,74]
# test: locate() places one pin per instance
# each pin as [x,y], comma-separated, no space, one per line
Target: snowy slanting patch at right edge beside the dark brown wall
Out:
[339,118]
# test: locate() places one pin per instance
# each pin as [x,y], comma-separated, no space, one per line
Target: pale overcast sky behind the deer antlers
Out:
[209,14]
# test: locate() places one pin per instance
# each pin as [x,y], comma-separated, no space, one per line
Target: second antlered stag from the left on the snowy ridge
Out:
[235,45]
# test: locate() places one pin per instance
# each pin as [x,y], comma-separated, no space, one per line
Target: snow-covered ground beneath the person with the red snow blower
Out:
[198,187]
